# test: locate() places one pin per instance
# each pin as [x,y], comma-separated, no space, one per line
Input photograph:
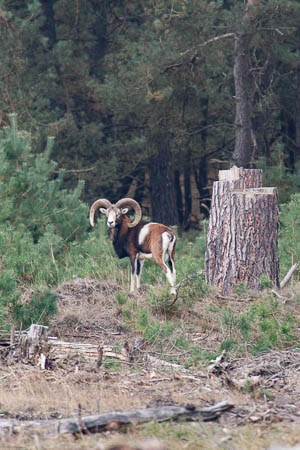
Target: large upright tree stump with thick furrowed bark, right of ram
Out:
[242,238]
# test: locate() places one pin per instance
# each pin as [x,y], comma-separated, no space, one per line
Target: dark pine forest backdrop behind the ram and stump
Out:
[152,98]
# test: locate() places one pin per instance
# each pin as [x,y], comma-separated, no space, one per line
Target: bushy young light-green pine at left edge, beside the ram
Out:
[39,221]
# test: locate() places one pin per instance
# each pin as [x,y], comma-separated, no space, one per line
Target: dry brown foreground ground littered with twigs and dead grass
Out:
[264,390]
